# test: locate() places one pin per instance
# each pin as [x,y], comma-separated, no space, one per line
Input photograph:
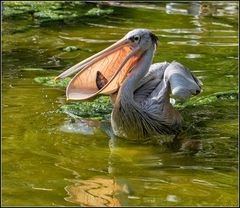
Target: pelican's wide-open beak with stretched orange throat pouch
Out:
[103,72]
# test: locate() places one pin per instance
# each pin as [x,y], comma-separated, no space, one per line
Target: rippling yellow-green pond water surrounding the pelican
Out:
[55,159]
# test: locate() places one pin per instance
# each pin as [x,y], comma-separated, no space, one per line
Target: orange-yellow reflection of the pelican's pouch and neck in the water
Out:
[99,190]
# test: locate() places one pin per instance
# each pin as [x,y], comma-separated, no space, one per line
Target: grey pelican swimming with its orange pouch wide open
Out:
[140,91]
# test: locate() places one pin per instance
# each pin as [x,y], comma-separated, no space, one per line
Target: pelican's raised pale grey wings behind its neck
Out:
[162,77]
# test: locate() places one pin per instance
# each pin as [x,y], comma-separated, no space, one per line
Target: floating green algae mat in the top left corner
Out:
[44,12]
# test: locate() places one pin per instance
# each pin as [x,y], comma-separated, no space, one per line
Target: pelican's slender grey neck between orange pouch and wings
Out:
[139,71]
